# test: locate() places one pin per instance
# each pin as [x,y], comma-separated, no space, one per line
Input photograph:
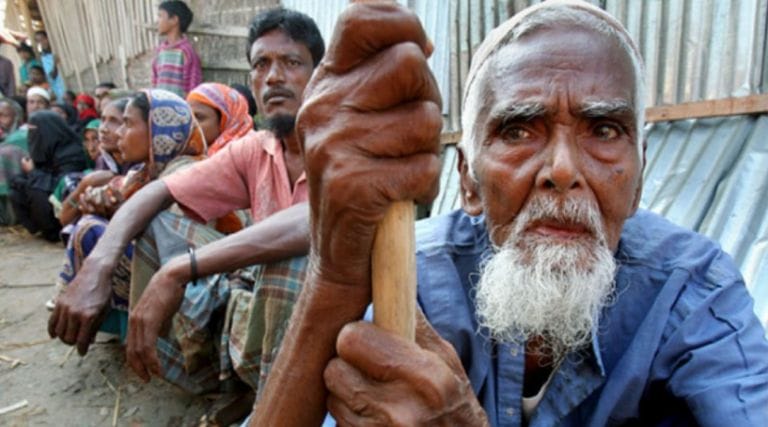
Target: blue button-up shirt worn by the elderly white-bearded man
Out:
[680,344]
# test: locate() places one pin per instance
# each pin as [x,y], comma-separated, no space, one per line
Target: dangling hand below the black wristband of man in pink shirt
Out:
[149,318]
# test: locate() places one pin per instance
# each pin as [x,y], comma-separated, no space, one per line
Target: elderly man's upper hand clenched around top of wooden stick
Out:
[370,126]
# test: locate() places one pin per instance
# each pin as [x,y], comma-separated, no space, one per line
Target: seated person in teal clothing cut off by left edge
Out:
[13,148]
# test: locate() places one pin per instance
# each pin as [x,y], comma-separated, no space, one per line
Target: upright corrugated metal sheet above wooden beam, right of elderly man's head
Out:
[698,49]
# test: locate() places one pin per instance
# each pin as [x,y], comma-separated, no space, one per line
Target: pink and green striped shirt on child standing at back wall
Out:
[176,67]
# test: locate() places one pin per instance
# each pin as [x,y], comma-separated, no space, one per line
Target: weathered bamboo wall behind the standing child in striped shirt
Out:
[113,40]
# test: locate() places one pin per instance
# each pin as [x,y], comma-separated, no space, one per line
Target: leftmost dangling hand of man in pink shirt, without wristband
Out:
[78,312]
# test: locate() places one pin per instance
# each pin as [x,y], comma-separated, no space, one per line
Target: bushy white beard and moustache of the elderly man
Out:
[534,286]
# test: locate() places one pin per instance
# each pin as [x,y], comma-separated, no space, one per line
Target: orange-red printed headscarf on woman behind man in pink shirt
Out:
[233,108]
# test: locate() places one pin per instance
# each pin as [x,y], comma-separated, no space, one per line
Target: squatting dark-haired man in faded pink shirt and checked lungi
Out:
[264,173]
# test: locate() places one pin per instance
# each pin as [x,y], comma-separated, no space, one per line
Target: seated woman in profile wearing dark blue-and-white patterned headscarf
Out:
[159,132]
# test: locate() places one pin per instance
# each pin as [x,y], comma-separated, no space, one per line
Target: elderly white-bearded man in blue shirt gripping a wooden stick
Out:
[550,299]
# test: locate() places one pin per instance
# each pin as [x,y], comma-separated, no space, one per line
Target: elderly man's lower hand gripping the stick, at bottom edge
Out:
[382,379]
